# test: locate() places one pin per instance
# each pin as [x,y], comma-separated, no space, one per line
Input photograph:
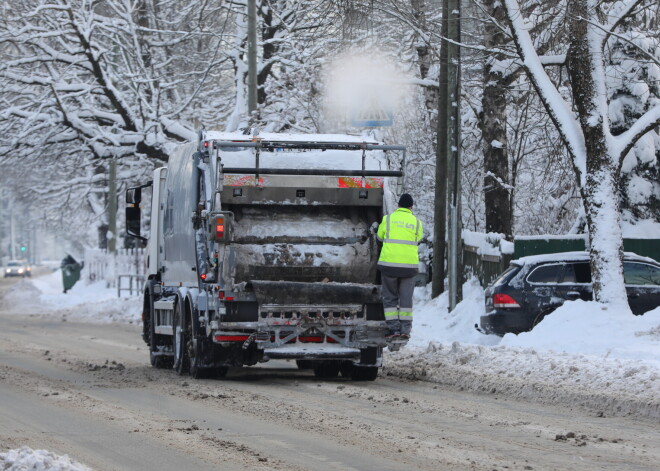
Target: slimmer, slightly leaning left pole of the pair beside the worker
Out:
[440,213]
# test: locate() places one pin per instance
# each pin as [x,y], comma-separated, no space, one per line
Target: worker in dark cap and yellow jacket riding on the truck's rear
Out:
[400,233]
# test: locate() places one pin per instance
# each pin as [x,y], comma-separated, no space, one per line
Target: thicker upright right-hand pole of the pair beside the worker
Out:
[455,249]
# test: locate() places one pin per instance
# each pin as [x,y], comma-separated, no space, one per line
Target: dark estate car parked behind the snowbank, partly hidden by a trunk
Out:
[532,287]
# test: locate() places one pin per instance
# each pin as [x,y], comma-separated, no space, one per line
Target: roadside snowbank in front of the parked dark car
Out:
[582,354]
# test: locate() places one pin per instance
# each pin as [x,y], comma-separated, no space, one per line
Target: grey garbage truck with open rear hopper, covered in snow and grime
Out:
[264,247]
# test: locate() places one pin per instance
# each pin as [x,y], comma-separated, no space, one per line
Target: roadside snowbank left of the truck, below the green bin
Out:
[95,302]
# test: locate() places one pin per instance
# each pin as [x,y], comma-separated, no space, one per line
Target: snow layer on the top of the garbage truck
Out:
[331,159]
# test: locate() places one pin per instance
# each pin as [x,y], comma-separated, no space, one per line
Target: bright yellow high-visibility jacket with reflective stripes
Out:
[400,233]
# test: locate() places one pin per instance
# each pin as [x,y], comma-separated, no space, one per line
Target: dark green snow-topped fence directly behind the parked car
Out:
[536,245]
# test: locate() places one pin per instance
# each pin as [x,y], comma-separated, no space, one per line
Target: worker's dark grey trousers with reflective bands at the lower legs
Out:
[397,301]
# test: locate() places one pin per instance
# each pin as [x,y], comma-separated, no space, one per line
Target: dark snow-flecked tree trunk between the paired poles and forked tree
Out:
[493,130]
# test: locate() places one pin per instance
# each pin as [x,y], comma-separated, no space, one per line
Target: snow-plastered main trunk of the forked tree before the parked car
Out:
[600,187]
